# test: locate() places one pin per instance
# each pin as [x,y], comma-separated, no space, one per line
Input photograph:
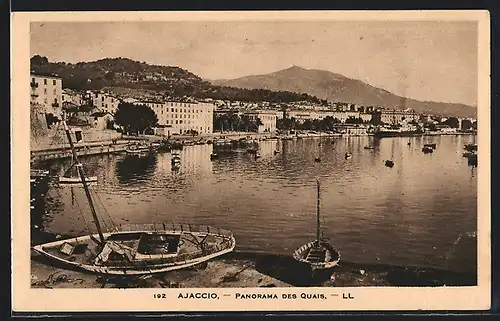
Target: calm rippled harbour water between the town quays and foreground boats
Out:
[420,212]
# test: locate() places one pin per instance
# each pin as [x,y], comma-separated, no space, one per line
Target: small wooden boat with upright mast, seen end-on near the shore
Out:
[319,254]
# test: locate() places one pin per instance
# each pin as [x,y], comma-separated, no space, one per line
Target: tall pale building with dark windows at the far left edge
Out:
[46,91]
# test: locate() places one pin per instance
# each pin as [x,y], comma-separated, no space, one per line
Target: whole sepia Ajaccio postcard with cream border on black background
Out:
[242,152]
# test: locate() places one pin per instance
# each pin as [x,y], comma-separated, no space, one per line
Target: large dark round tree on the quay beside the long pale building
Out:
[135,118]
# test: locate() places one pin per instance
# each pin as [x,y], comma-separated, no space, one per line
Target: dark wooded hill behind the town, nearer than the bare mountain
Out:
[167,81]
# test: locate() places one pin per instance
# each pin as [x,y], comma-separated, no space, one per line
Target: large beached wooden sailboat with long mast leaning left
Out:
[137,249]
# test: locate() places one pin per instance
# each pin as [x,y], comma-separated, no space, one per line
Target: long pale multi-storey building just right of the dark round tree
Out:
[182,118]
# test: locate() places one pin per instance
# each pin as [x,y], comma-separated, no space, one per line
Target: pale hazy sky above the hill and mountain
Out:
[423,60]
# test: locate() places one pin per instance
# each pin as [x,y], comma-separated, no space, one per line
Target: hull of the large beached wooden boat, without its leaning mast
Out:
[142,263]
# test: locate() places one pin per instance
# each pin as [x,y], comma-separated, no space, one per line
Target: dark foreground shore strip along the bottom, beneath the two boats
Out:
[249,269]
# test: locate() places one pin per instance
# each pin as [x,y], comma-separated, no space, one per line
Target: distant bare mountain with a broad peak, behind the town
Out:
[338,88]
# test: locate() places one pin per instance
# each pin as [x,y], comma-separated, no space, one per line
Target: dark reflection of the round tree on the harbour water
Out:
[130,169]
